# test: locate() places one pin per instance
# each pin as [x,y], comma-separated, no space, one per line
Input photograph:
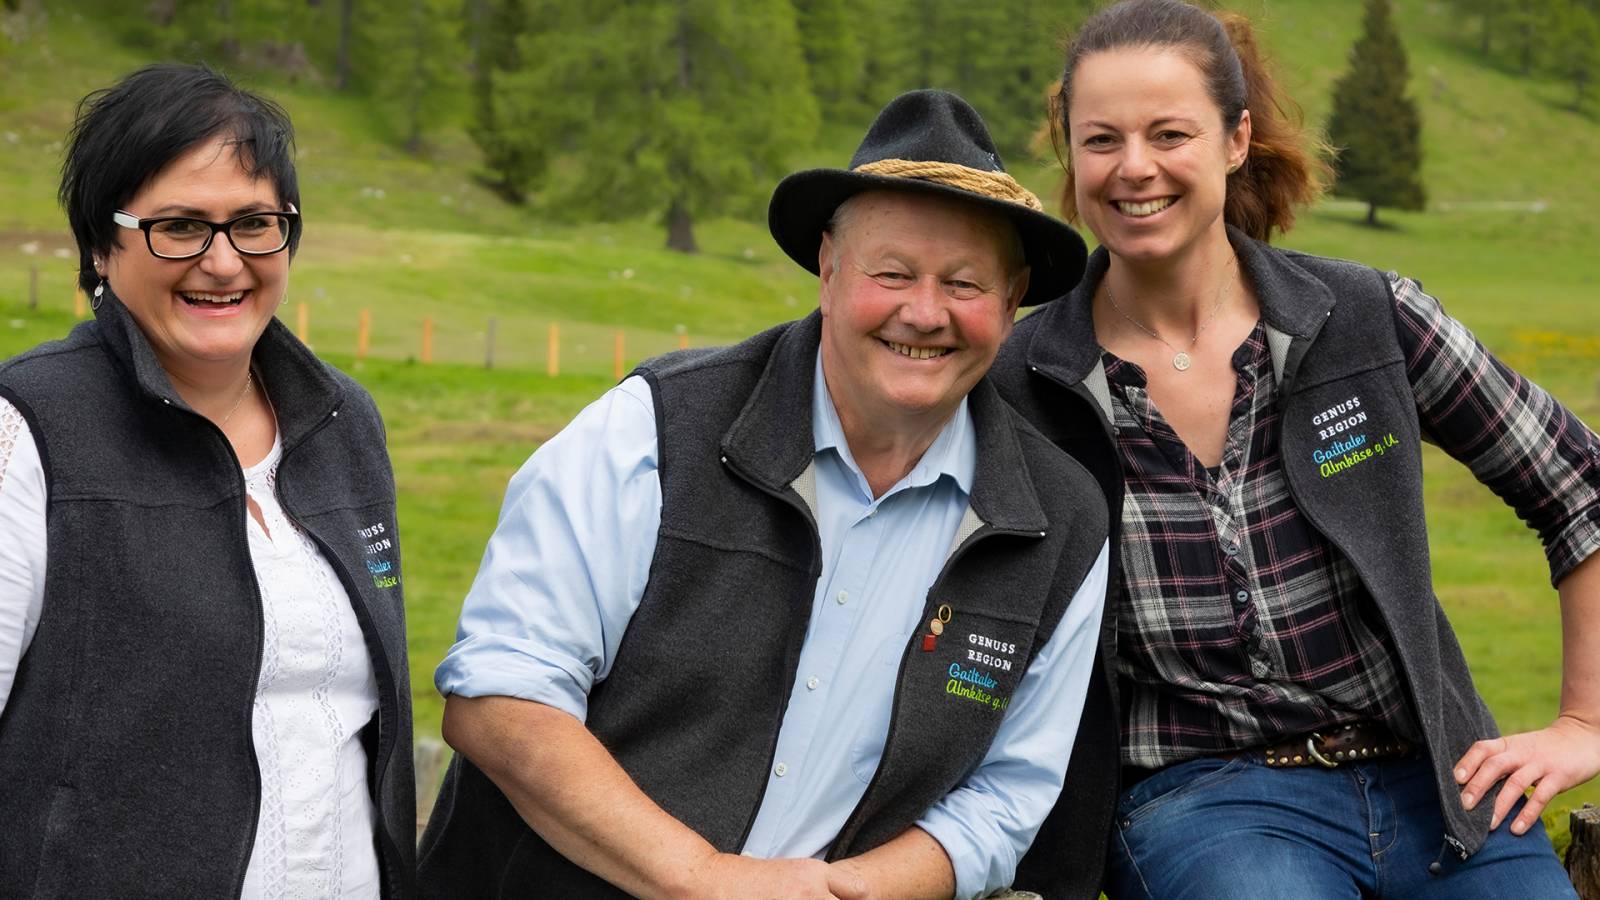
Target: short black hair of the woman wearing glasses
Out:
[127,134]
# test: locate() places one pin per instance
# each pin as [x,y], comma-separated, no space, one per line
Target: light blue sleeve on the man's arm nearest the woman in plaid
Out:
[990,821]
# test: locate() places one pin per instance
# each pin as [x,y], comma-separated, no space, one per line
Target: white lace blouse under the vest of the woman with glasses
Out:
[316,693]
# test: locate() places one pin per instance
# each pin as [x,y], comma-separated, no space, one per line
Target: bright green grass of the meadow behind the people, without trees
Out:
[412,239]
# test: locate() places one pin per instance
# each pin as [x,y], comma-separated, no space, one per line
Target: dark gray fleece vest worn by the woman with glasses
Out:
[127,763]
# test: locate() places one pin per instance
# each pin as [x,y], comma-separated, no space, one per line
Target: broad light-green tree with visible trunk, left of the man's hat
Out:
[682,108]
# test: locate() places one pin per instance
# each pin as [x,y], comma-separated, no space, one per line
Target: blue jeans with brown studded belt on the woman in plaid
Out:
[1236,830]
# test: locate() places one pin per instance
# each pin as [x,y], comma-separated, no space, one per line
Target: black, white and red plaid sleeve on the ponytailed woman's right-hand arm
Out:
[1518,440]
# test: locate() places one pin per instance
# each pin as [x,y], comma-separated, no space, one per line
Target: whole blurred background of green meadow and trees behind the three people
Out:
[506,201]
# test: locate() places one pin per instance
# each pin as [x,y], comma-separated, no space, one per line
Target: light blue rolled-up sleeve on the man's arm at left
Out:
[567,565]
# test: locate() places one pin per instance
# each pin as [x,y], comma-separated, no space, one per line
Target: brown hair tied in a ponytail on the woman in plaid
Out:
[1281,174]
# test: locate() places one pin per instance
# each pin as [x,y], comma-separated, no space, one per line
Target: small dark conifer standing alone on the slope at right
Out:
[1375,126]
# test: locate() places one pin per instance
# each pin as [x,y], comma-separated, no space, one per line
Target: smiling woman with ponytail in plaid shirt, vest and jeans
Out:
[1294,713]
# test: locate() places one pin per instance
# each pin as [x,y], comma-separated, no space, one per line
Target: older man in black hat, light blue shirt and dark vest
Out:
[814,616]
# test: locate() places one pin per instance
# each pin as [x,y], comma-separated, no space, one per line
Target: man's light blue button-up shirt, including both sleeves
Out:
[567,568]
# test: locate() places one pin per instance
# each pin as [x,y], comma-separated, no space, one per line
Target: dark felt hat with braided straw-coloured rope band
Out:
[935,143]
